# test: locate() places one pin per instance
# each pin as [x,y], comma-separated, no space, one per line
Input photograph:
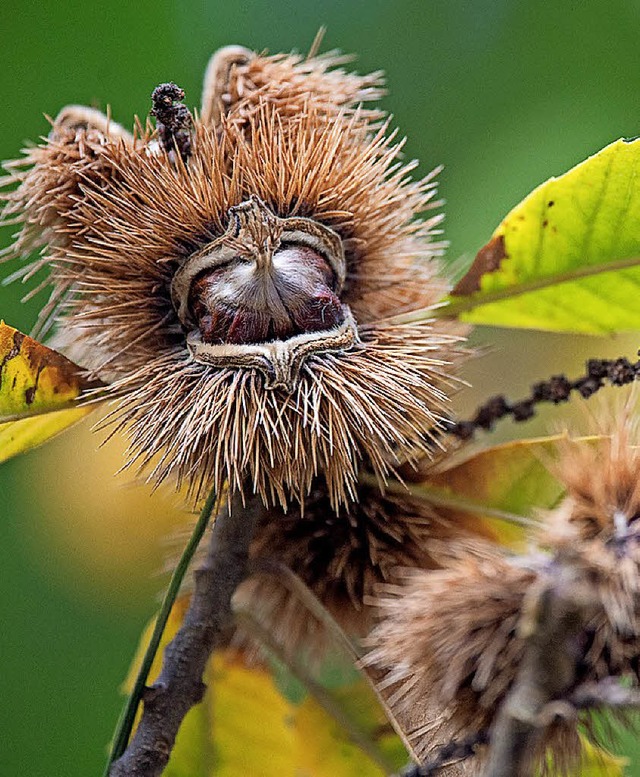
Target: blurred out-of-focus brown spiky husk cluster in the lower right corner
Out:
[448,640]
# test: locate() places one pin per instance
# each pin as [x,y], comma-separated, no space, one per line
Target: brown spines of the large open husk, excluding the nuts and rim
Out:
[120,216]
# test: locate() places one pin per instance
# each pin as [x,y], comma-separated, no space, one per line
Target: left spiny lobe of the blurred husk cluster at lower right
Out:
[446,641]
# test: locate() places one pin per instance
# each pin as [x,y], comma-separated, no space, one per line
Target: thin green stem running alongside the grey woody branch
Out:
[127,718]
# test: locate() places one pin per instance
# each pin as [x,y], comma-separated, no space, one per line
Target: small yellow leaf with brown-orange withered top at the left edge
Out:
[38,392]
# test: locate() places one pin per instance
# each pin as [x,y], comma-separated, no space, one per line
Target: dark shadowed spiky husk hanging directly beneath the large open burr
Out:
[341,556]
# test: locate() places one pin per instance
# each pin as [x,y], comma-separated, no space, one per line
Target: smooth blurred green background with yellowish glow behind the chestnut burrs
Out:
[504,93]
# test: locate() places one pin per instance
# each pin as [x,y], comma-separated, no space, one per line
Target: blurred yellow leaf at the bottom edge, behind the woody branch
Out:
[247,725]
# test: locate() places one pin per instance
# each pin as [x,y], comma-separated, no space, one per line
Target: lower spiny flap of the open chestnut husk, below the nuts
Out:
[220,425]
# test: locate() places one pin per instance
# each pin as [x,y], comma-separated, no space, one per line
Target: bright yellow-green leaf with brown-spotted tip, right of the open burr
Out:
[567,258]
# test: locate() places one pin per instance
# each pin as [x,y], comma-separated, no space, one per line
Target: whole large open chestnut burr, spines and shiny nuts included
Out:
[234,294]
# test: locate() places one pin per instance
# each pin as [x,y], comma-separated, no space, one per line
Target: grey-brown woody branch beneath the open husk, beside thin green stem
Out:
[180,685]
